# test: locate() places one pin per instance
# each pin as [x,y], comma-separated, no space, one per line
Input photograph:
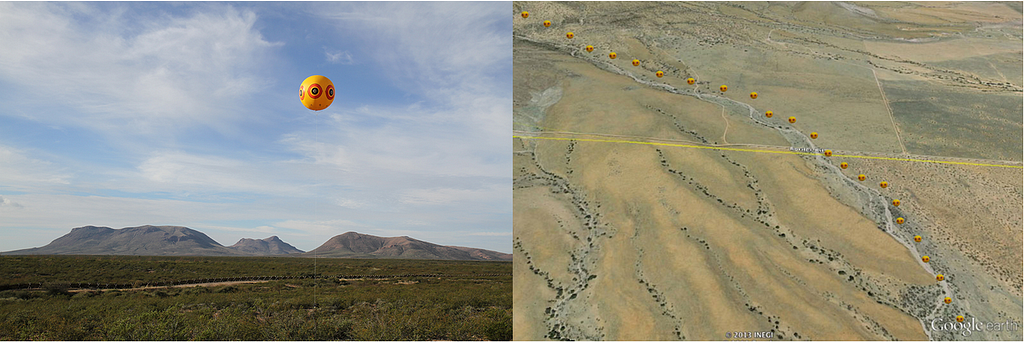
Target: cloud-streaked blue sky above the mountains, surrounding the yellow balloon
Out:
[187,114]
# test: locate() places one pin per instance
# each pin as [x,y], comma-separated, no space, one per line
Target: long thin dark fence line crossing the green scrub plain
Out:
[115,286]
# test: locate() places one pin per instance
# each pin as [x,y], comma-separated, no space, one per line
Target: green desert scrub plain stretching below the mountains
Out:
[468,302]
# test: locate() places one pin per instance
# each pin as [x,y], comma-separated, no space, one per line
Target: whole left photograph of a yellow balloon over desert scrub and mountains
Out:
[276,171]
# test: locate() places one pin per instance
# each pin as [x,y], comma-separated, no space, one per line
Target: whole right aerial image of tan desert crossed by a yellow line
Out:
[769,171]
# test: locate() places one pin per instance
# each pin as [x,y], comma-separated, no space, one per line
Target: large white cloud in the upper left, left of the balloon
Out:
[129,75]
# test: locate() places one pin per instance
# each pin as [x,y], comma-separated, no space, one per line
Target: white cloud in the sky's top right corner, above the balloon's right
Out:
[423,44]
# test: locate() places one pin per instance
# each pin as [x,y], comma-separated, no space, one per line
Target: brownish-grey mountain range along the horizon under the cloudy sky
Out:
[181,241]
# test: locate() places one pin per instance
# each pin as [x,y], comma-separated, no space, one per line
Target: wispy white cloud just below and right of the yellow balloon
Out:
[411,142]
